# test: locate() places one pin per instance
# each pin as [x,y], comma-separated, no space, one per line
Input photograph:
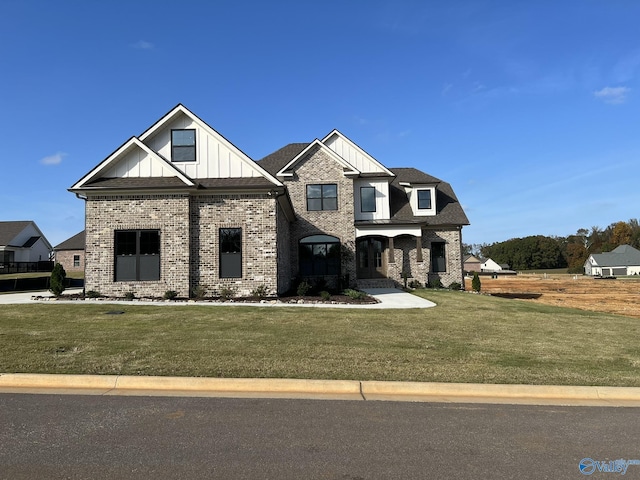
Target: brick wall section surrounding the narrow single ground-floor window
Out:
[256,215]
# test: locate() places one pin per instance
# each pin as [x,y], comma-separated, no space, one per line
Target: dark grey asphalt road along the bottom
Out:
[73,437]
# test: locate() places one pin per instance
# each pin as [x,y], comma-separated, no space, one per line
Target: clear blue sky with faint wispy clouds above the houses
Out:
[530,109]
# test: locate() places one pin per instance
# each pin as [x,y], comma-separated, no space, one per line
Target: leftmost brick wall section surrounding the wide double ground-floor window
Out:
[167,213]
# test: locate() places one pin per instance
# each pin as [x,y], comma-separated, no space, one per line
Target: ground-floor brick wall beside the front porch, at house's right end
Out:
[406,258]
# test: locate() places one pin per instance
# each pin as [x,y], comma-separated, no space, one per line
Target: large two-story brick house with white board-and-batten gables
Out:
[180,207]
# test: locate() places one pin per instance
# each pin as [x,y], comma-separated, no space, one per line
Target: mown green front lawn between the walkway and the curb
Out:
[467,338]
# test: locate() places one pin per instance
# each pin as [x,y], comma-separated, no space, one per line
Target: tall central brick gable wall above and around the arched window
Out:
[319,168]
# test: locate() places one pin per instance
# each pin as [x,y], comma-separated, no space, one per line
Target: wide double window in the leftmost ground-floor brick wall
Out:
[137,255]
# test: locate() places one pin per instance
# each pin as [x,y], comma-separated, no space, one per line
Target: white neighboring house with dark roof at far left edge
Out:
[22,243]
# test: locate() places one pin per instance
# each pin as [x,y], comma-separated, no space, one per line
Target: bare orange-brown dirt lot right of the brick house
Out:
[621,296]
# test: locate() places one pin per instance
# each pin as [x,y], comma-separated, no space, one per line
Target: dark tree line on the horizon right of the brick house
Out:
[539,252]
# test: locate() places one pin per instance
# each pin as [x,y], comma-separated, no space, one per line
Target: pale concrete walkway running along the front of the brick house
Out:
[388,298]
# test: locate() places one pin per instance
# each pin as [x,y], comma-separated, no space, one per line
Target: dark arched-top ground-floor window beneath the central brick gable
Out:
[319,255]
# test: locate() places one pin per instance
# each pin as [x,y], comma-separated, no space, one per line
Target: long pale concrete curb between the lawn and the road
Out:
[319,389]
